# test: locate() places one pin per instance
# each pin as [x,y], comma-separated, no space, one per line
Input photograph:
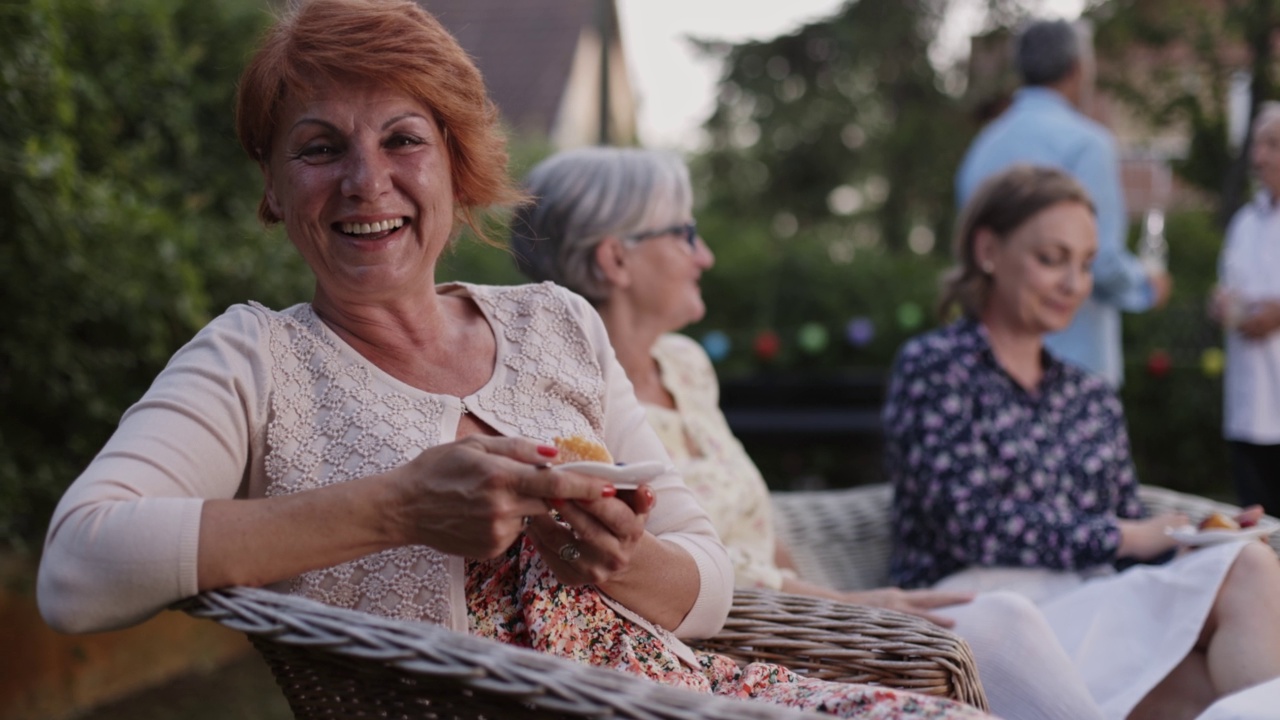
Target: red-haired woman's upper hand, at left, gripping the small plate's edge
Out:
[472,498]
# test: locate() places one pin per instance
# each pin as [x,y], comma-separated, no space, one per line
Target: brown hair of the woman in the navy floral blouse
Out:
[1002,204]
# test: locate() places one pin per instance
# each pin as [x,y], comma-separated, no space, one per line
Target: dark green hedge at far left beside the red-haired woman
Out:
[129,220]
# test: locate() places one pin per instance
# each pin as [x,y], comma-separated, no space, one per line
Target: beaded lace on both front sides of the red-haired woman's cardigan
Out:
[333,421]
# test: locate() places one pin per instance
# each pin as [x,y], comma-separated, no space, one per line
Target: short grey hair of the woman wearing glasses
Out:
[582,197]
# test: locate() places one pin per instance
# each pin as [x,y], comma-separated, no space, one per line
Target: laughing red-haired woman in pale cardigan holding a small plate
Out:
[387,446]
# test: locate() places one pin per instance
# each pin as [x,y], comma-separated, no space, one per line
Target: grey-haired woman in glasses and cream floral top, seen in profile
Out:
[616,226]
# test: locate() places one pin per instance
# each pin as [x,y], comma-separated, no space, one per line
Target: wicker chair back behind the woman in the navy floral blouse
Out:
[842,539]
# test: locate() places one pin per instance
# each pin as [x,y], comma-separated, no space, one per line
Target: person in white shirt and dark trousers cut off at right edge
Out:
[1247,303]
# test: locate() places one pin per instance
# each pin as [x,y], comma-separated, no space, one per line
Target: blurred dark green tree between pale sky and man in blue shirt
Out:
[842,127]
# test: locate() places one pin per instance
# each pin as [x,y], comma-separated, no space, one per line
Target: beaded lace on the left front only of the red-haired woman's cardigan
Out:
[332,421]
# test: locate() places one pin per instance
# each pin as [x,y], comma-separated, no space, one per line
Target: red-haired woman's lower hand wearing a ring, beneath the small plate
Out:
[596,540]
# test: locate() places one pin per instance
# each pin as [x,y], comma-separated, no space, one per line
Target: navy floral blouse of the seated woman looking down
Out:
[986,473]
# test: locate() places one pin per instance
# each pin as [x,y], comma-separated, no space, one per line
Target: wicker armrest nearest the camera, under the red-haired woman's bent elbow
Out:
[333,663]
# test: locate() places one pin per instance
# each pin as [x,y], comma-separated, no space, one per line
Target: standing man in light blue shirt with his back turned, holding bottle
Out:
[1045,127]
